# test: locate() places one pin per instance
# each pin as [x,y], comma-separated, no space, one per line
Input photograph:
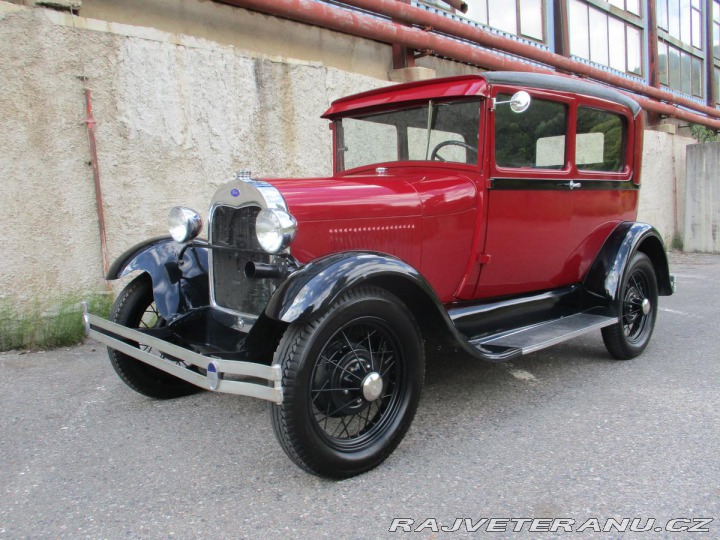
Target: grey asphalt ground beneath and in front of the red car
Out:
[563,433]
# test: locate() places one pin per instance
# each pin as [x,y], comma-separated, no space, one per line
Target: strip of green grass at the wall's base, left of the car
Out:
[56,326]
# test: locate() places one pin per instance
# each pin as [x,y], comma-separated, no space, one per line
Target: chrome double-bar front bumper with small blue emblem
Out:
[268,387]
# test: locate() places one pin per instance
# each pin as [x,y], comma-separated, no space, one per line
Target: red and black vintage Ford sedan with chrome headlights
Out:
[495,212]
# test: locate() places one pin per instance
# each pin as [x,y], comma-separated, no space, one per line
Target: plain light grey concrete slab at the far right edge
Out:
[702,214]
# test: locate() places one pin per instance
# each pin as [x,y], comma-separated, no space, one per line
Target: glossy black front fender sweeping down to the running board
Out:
[310,291]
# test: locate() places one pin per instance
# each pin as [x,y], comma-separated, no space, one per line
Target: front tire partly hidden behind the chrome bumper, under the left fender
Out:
[135,308]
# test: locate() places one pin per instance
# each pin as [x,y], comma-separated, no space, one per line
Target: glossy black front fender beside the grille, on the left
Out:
[179,284]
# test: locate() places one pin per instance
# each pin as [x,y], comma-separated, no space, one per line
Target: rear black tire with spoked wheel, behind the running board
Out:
[638,298]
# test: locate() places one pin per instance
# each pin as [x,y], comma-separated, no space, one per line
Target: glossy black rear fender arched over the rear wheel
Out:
[605,275]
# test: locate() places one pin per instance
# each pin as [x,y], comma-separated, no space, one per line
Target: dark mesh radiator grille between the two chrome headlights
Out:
[235,228]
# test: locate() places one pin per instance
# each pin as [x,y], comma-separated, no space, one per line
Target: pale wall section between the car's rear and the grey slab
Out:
[662,196]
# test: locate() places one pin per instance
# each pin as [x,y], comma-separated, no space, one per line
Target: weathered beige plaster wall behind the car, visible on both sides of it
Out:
[176,115]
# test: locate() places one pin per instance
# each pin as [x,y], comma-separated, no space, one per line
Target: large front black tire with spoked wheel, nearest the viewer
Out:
[334,421]
